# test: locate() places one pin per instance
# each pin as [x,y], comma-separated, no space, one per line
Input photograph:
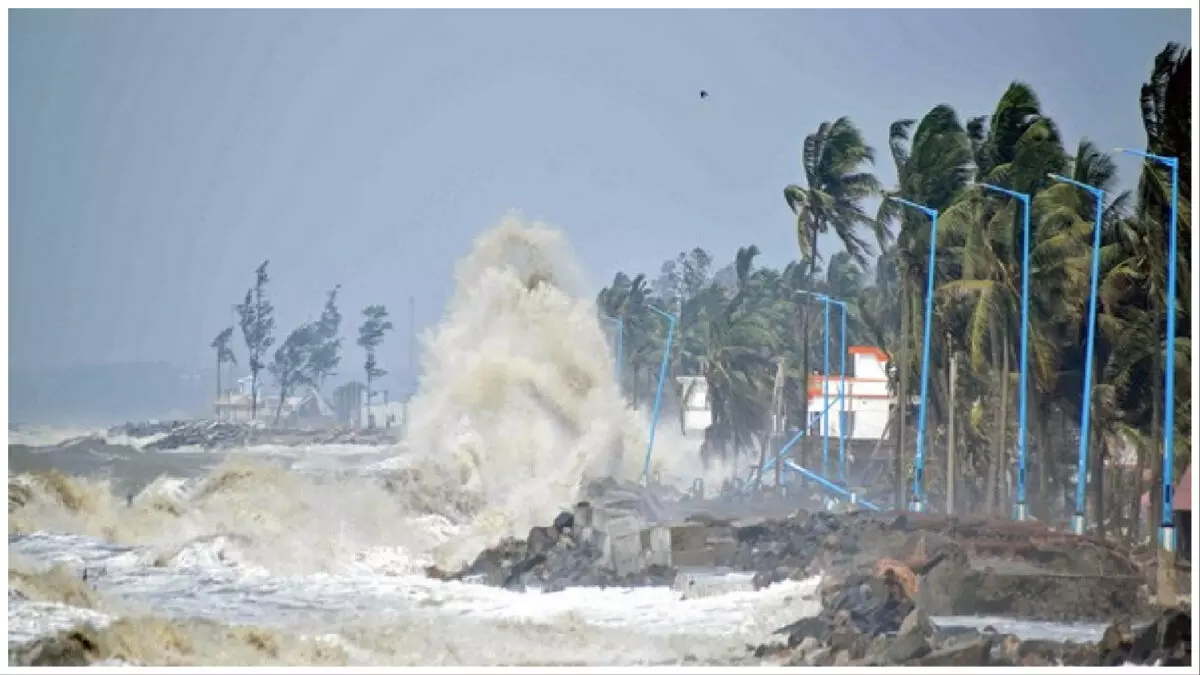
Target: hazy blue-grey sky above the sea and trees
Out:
[157,158]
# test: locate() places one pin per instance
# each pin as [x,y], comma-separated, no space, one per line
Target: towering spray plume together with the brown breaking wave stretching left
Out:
[518,407]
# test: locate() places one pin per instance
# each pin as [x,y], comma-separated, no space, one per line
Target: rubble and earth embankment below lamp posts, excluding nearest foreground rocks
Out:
[952,568]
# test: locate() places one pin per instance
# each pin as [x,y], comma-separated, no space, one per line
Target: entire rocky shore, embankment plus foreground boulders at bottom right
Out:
[883,580]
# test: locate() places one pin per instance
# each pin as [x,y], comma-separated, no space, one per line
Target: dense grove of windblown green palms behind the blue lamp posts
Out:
[739,327]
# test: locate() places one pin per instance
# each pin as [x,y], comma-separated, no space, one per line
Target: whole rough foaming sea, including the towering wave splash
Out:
[315,555]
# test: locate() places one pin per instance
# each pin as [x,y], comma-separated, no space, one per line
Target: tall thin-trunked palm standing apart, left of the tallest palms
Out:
[833,159]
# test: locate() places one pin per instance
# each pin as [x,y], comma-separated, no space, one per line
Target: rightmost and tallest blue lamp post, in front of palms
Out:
[1167,533]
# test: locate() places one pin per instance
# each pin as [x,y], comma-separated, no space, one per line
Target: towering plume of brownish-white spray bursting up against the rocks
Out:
[518,404]
